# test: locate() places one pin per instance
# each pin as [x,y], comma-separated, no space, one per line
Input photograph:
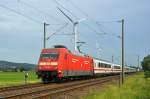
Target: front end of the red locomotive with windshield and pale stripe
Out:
[48,65]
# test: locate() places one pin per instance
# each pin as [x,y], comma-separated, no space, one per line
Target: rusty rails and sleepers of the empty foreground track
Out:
[42,92]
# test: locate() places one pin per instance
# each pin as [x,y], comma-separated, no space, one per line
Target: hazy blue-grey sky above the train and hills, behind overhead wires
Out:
[21,28]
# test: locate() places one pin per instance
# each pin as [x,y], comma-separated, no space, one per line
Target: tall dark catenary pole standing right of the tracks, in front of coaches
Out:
[122,50]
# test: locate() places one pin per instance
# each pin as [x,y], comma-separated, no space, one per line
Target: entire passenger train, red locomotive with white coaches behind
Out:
[59,63]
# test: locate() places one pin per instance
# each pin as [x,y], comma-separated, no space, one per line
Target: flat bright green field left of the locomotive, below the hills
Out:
[16,78]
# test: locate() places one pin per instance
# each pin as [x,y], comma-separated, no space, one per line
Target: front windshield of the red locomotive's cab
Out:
[52,55]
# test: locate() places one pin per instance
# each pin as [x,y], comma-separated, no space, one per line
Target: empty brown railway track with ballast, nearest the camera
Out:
[48,90]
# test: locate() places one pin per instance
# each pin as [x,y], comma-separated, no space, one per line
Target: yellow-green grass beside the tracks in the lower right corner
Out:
[135,87]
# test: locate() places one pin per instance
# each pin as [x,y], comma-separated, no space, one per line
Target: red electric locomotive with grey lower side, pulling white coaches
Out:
[58,62]
